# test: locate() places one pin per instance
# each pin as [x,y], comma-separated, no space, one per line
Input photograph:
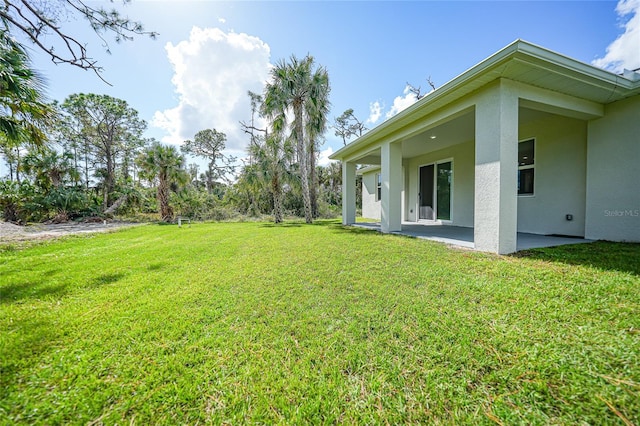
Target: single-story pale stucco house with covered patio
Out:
[528,140]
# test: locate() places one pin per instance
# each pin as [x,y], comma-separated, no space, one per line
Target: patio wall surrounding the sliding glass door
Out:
[463,157]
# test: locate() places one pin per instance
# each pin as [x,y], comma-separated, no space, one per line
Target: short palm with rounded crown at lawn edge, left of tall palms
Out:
[164,163]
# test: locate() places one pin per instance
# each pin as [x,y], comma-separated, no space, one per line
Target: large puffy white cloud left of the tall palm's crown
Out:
[213,71]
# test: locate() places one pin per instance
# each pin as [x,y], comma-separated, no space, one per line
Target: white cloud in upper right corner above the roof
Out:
[624,52]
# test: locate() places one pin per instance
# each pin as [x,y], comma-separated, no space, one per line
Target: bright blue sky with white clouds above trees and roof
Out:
[195,75]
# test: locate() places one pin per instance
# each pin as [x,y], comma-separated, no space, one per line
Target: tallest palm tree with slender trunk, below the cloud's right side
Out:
[302,89]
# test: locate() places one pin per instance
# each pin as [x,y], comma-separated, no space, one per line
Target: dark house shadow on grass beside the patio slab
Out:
[604,255]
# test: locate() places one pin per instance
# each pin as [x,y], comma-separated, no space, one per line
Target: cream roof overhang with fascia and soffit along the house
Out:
[522,62]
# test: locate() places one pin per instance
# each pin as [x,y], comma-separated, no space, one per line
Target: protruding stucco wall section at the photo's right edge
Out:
[613,173]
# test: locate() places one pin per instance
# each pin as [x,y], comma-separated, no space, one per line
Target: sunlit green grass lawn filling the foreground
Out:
[257,323]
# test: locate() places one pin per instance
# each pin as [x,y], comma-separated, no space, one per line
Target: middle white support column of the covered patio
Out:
[392,182]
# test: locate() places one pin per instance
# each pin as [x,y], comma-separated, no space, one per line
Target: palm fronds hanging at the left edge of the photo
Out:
[23,109]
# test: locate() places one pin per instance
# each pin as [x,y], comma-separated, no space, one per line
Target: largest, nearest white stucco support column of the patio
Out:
[496,171]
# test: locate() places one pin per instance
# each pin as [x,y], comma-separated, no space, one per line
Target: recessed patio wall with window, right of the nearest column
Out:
[560,177]
